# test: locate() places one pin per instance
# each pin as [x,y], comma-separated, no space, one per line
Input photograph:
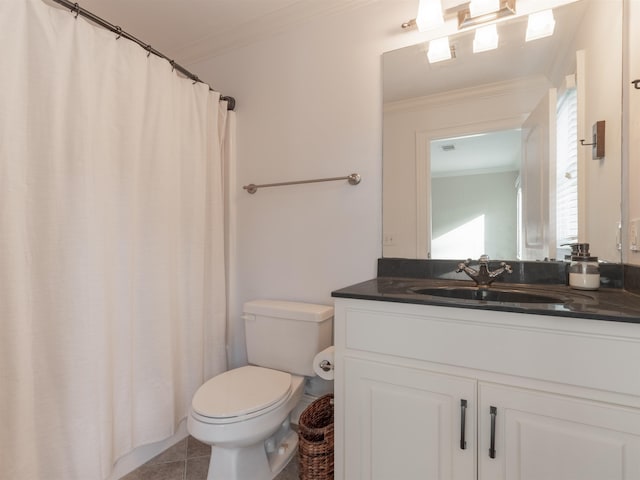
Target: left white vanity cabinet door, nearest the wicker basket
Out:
[406,423]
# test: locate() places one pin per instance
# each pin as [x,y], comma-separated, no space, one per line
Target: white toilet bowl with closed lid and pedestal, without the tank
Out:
[253,439]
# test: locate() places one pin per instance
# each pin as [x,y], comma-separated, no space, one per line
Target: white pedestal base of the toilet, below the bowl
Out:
[254,462]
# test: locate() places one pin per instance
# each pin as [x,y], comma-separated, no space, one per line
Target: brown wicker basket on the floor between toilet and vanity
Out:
[315,445]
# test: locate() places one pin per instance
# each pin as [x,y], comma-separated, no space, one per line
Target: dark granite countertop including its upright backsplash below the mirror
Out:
[617,300]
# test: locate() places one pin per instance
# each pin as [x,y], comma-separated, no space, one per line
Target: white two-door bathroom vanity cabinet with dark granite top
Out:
[450,389]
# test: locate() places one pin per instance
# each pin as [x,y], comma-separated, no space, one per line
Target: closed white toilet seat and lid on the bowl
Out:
[240,394]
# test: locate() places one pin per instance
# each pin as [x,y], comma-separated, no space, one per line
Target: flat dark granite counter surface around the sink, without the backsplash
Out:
[606,304]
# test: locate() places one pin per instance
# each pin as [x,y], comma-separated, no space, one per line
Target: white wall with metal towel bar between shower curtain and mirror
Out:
[309,106]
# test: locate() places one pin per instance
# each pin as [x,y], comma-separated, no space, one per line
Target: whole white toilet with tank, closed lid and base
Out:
[244,413]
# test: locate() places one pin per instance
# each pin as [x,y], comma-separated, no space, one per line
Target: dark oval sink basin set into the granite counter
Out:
[489,295]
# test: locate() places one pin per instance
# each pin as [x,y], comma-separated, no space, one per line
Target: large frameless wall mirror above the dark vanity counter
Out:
[505,198]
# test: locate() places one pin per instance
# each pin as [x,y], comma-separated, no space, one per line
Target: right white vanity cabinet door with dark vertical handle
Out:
[541,436]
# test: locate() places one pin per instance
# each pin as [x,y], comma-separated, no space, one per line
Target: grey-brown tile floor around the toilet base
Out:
[189,460]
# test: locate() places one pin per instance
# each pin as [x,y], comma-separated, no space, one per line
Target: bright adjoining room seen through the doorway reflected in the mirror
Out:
[474,195]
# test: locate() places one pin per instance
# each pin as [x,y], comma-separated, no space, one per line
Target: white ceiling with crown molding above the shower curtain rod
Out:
[189,31]
